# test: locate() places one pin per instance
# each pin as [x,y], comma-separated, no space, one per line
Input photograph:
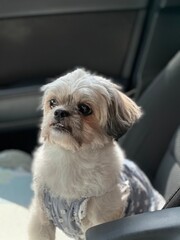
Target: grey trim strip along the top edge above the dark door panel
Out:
[19,8]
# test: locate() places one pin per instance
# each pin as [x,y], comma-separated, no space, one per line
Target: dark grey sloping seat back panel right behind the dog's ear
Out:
[148,140]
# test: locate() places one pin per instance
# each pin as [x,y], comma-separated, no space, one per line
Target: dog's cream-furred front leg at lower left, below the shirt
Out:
[40,228]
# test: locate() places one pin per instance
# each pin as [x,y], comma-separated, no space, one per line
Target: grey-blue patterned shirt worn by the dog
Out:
[67,215]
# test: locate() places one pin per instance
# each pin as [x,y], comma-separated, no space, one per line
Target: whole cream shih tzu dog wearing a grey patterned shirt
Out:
[81,178]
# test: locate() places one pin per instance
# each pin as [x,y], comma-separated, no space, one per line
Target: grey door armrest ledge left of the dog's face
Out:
[19,107]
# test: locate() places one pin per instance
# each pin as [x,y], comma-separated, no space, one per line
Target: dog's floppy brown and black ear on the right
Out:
[122,114]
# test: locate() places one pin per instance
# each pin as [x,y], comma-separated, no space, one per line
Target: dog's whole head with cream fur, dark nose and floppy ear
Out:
[82,109]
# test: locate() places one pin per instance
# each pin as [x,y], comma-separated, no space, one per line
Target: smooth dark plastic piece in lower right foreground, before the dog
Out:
[157,225]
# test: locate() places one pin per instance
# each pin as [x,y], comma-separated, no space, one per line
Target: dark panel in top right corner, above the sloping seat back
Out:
[161,41]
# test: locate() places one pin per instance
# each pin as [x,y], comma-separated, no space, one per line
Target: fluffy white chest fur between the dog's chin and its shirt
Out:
[77,173]
